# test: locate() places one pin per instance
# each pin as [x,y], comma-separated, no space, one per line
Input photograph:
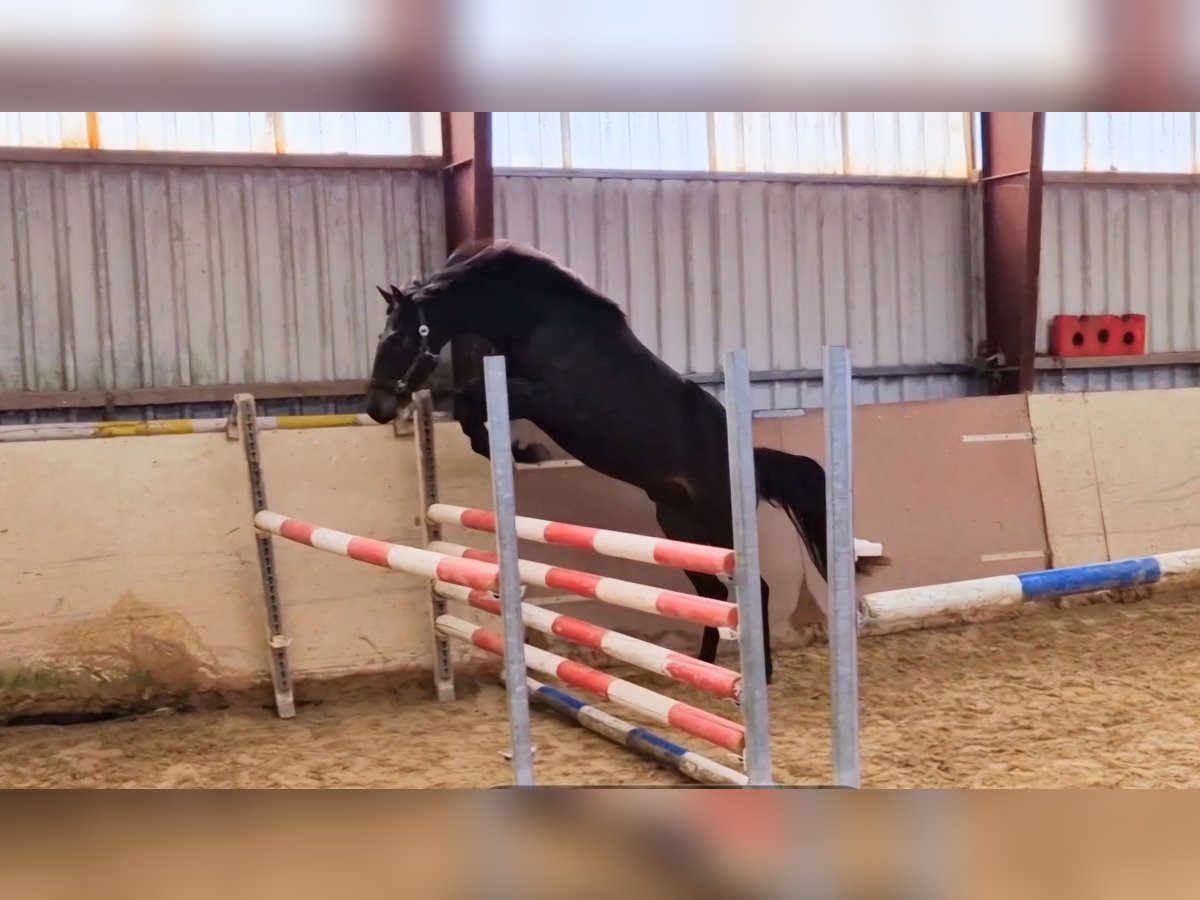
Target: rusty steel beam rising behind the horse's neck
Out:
[467,153]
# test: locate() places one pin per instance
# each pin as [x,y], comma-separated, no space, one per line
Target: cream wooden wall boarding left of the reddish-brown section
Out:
[131,563]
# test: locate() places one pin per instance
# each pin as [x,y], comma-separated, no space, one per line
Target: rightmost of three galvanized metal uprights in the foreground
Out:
[842,605]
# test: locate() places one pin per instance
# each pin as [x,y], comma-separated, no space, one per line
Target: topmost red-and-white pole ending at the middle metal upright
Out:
[639,548]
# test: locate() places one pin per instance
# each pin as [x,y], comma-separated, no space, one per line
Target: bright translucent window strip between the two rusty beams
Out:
[911,145]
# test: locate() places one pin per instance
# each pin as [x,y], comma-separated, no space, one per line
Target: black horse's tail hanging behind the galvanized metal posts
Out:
[797,485]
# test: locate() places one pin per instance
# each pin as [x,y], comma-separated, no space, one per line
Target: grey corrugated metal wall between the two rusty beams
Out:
[779,268]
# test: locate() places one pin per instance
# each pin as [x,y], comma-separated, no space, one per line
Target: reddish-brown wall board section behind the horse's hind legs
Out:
[950,488]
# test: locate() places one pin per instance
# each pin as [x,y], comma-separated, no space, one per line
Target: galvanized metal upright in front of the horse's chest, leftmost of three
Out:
[500,437]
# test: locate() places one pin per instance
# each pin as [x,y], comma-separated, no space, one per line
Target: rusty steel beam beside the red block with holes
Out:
[1012,236]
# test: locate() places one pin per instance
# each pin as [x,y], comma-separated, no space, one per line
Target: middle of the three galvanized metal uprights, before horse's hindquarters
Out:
[747,585]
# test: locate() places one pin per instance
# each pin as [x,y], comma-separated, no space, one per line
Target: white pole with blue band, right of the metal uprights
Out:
[1001,591]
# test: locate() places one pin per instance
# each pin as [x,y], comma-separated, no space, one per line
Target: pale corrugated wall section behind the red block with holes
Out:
[1124,249]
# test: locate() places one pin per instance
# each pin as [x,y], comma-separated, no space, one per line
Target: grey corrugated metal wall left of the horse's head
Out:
[128,277]
